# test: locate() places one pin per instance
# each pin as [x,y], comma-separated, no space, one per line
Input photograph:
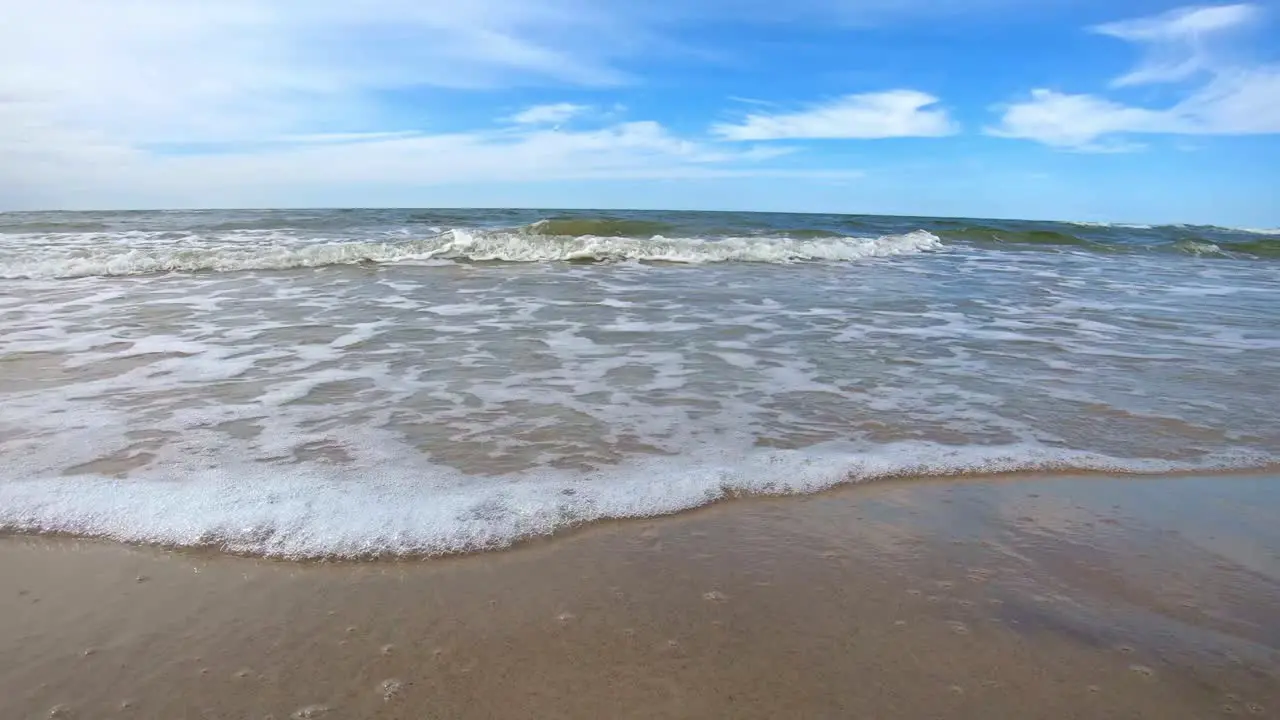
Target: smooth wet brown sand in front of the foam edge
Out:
[1018,598]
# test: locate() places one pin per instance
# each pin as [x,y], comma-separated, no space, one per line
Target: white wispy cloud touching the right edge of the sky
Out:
[1233,99]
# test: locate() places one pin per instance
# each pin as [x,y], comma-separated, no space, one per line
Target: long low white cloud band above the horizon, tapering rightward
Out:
[327,167]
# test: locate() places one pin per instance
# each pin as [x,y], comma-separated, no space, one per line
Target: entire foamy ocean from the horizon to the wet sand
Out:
[362,384]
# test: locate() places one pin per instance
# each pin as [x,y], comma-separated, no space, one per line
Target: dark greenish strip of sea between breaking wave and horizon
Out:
[196,227]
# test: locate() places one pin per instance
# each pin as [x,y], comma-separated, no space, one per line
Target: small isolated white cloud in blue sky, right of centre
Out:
[895,113]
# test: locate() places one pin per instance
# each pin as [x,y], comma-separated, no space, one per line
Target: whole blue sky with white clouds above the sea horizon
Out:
[1112,111]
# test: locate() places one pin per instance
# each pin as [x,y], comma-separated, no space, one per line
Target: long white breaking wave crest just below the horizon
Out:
[523,245]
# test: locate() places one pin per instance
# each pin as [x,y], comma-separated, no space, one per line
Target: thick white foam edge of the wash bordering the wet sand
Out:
[391,509]
